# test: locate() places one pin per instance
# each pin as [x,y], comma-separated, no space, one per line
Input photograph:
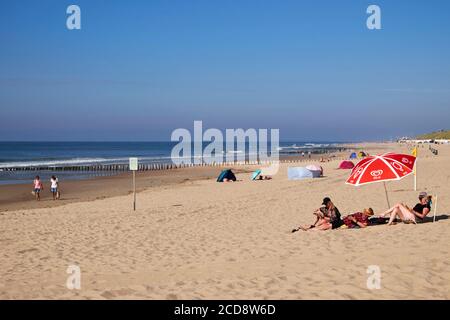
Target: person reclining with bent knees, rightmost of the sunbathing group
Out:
[408,215]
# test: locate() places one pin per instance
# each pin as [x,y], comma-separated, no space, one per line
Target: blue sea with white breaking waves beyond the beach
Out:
[63,154]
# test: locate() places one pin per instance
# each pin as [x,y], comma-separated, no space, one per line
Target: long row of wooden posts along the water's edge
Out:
[153,166]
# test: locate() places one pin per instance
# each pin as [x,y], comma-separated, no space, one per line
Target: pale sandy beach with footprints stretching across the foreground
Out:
[193,238]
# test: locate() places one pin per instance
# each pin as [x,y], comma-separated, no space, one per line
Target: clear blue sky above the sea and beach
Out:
[137,70]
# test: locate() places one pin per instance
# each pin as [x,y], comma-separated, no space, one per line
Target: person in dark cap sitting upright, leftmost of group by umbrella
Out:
[327,217]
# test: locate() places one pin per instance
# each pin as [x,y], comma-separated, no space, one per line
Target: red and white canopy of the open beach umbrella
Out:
[388,166]
